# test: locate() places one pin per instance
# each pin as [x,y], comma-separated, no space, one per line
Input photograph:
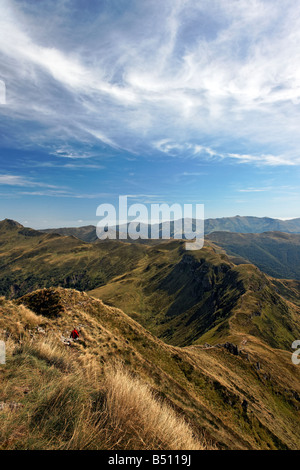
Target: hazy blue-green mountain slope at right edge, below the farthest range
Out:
[275,253]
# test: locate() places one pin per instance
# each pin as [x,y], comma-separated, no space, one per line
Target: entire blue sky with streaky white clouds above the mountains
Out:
[188,101]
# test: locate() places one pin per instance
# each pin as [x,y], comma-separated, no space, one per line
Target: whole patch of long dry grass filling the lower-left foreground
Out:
[72,404]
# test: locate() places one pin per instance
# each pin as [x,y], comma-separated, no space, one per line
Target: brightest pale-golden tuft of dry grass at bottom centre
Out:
[142,421]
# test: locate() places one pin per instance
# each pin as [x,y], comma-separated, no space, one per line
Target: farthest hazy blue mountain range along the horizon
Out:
[228,224]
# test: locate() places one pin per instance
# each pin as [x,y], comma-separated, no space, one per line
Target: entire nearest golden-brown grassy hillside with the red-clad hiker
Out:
[60,396]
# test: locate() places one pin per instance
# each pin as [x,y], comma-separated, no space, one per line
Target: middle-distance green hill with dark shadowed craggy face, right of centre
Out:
[193,297]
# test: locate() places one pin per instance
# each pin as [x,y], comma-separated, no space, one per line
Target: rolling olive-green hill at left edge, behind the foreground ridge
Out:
[30,259]
